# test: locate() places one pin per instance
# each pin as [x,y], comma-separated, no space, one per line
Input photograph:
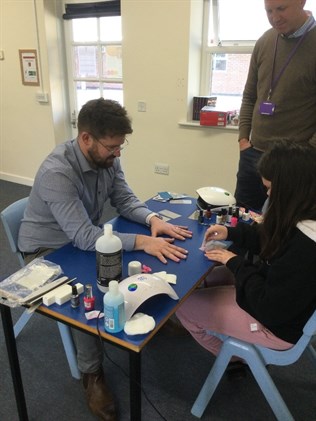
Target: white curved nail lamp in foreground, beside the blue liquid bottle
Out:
[138,288]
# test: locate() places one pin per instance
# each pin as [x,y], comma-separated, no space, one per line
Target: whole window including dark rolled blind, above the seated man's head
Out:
[93,39]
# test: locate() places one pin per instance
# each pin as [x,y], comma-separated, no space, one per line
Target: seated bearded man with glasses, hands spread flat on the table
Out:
[66,204]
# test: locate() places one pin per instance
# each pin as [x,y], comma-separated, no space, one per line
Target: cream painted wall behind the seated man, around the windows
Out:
[161,53]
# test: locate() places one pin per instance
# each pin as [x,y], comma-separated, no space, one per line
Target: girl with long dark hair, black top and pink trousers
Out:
[267,302]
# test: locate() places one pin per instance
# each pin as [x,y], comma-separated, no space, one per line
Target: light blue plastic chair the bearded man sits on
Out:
[11,218]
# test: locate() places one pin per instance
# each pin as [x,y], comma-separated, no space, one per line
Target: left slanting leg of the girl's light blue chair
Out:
[211,383]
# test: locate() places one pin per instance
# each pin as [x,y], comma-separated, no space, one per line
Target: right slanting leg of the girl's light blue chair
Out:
[269,390]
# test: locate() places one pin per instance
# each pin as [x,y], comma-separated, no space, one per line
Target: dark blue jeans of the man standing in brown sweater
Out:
[250,192]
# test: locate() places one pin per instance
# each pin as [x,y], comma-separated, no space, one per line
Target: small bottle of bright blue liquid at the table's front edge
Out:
[114,309]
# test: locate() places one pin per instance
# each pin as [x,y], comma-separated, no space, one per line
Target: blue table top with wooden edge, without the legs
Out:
[82,265]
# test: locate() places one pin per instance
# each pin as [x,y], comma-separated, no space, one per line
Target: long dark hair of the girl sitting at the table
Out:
[291,168]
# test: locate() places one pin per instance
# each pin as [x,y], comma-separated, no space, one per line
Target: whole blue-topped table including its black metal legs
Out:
[82,265]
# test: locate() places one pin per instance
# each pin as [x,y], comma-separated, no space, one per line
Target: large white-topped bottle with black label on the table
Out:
[109,258]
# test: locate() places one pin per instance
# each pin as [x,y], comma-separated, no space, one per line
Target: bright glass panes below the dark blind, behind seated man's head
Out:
[97,59]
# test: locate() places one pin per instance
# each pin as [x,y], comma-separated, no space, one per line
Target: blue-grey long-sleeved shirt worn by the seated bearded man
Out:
[67,199]
